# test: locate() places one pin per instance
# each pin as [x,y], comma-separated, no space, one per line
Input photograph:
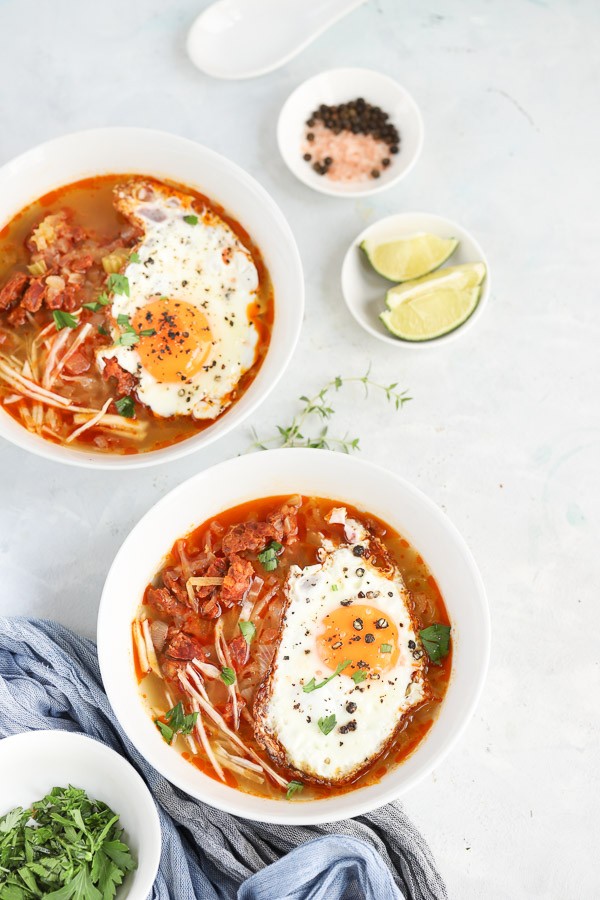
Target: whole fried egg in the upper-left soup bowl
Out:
[181,323]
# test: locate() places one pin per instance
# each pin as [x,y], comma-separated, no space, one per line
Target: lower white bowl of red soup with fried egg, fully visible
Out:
[252,519]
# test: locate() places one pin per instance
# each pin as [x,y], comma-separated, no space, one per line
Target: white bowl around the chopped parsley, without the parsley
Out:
[34,762]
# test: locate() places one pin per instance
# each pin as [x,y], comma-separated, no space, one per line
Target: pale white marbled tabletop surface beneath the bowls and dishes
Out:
[503,431]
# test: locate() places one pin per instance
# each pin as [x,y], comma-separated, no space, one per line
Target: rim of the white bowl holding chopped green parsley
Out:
[81,742]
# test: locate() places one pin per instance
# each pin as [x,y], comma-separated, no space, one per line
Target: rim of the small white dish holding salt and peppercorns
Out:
[358,191]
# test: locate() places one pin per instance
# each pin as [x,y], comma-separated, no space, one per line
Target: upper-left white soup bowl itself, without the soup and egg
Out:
[107,151]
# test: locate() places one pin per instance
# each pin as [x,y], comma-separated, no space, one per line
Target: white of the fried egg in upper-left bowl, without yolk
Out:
[205,265]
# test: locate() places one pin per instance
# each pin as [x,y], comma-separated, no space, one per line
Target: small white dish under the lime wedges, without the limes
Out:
[364,289]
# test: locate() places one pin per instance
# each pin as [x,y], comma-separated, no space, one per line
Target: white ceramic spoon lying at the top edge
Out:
[246,38]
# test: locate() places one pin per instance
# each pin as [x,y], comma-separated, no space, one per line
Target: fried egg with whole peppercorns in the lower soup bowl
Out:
[348,668]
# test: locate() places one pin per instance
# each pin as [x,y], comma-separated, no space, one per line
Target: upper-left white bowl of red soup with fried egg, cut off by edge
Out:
[151,296]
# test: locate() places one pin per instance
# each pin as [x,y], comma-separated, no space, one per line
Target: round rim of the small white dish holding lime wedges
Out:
[433,342]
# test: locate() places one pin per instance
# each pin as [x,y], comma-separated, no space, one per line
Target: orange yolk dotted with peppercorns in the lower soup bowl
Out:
[362,634]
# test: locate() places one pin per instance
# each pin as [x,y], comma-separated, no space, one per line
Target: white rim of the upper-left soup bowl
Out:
[20,437]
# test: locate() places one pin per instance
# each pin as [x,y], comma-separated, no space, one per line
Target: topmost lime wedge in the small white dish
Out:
[409,258]
